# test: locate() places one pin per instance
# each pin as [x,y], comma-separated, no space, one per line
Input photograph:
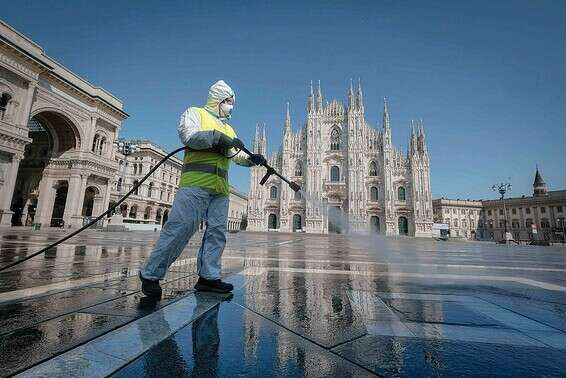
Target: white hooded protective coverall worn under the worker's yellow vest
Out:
[193,204]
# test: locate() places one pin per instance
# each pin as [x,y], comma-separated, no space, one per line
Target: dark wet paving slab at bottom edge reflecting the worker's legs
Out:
[216,345]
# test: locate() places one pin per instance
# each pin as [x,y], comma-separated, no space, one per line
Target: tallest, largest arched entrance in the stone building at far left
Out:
[35,192]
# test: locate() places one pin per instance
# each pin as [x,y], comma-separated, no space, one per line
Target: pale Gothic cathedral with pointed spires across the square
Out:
[353,179]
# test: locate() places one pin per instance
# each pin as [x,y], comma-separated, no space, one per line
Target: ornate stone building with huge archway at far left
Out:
[56,134]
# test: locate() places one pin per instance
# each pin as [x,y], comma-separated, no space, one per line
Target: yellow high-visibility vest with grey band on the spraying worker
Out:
[207,169]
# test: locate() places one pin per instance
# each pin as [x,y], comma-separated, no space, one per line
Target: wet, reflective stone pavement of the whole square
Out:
[304,305]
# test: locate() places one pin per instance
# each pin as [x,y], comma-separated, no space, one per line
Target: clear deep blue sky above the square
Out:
[487,77]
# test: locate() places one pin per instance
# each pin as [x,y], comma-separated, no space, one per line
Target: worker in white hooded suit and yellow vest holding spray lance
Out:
[203,193]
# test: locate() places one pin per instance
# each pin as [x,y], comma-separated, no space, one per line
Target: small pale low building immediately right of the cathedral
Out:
[461,216]
